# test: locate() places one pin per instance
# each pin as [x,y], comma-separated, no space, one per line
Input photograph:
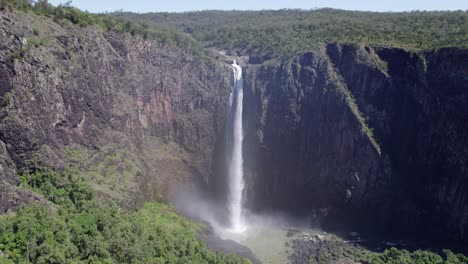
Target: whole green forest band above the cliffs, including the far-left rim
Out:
[272,33]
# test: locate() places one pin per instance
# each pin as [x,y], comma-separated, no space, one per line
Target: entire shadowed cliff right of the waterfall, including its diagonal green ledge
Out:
[376,136]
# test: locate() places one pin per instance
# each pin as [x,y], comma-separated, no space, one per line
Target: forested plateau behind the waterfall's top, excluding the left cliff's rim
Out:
[287,32]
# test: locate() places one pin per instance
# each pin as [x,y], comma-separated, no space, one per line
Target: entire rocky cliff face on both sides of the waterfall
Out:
[362,136]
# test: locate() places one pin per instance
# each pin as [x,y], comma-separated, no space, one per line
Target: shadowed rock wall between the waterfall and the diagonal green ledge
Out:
[310,152]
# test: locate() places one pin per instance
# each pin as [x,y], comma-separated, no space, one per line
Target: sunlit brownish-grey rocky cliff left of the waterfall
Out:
[133,115]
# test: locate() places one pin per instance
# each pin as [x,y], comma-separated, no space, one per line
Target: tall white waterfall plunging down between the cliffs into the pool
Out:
[234,152]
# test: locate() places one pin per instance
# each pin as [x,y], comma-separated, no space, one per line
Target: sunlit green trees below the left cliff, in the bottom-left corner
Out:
[78,228]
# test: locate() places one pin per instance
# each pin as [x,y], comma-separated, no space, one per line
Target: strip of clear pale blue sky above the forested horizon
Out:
[193,5]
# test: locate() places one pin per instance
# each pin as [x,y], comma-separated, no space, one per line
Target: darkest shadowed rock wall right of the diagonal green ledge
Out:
[419,114]
